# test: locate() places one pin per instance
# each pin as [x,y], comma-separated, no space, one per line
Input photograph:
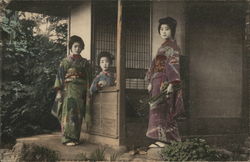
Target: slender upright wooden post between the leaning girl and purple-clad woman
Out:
[120,69]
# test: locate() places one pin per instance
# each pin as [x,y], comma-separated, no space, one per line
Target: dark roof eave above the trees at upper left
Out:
[48,7]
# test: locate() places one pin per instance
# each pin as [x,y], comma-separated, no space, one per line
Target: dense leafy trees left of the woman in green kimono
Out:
[29,60]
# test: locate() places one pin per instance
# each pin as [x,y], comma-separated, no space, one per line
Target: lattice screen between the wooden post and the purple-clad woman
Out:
[137,43]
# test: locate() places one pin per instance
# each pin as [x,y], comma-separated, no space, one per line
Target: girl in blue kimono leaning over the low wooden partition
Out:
[105,78]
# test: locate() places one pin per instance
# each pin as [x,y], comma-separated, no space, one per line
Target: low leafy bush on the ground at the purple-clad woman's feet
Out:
[191,150]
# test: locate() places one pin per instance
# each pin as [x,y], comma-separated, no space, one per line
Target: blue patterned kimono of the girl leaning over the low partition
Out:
[106,77]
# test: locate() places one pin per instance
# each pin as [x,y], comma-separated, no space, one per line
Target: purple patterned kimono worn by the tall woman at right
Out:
[165,67]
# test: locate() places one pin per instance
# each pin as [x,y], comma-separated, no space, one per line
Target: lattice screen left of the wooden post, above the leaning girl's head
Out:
[104,29]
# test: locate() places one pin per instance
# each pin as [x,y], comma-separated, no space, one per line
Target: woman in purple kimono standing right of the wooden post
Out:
[164,76]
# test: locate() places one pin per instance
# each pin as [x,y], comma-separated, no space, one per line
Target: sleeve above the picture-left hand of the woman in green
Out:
[60,76]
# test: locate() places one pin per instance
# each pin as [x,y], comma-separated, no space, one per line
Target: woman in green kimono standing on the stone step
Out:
[72,85]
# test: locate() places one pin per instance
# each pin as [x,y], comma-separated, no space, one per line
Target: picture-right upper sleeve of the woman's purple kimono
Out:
[173,67]
